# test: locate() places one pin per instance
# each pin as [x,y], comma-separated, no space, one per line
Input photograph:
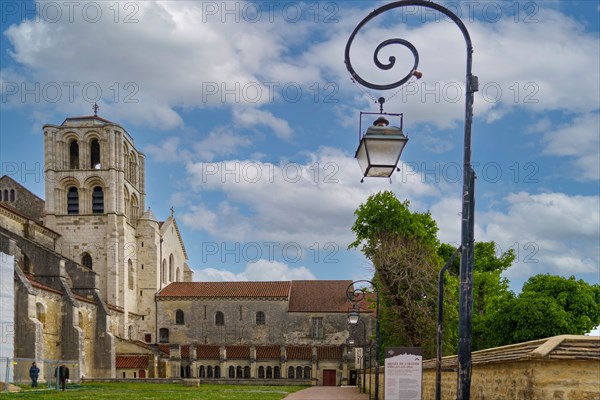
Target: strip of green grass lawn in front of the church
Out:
[142,391]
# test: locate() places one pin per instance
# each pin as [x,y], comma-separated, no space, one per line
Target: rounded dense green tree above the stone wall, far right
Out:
[548,305]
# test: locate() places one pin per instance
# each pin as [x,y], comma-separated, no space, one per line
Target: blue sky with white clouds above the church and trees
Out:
[249,121]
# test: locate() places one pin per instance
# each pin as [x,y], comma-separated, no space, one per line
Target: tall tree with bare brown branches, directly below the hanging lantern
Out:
[402,247]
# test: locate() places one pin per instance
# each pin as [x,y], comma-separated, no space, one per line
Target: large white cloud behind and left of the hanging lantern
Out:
[304,203]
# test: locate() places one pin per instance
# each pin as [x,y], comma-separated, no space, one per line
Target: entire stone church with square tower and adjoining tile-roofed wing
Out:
[99,280]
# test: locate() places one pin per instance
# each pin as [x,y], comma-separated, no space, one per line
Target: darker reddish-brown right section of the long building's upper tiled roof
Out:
[319,296]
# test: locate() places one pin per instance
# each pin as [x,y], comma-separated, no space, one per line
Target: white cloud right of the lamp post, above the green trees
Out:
[549,232]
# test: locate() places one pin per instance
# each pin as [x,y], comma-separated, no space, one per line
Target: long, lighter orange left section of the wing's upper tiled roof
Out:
[226,289]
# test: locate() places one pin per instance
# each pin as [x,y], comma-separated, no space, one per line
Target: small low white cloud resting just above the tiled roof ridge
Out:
[261,270]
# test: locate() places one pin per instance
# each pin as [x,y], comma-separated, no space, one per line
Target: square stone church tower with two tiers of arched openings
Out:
[95,193]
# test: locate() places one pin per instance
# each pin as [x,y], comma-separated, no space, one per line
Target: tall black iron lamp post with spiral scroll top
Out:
[468,203]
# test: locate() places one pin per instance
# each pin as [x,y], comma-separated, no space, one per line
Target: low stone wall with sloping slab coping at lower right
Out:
[563,367]
